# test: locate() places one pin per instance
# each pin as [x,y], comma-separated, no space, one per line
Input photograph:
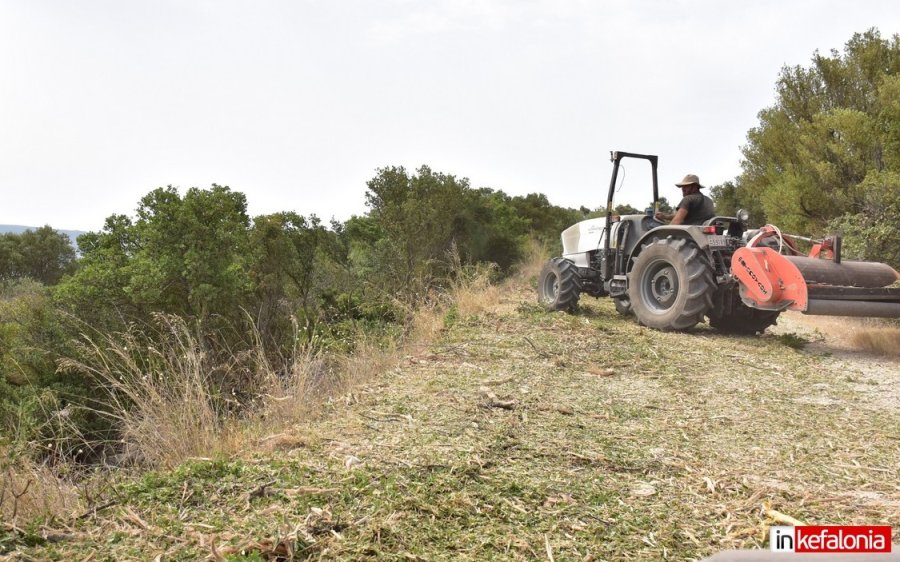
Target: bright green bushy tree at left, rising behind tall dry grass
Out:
[182,255]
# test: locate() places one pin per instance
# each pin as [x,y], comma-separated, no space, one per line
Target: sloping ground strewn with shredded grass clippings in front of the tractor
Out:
[525,435]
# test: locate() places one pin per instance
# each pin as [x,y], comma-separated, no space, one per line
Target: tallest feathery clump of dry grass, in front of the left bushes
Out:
[160,393]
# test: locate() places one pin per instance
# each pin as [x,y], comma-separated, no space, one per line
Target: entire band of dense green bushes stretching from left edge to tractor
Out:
[245,293]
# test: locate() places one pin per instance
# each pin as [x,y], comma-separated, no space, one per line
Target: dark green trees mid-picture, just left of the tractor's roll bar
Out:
[416,219]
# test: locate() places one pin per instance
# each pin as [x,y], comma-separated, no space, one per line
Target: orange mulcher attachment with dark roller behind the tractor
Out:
[771,280]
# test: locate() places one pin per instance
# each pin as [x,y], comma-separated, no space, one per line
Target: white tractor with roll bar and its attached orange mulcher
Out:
[672,277]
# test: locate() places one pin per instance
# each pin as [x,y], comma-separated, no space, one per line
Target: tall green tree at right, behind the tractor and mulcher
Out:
[831,133]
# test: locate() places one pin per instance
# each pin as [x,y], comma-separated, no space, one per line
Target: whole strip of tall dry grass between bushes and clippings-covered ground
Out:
[168,393]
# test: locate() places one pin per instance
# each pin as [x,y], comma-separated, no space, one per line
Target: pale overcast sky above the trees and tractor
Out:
[298,103]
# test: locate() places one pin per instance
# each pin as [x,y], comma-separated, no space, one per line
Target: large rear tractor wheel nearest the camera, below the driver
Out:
[671,284]
